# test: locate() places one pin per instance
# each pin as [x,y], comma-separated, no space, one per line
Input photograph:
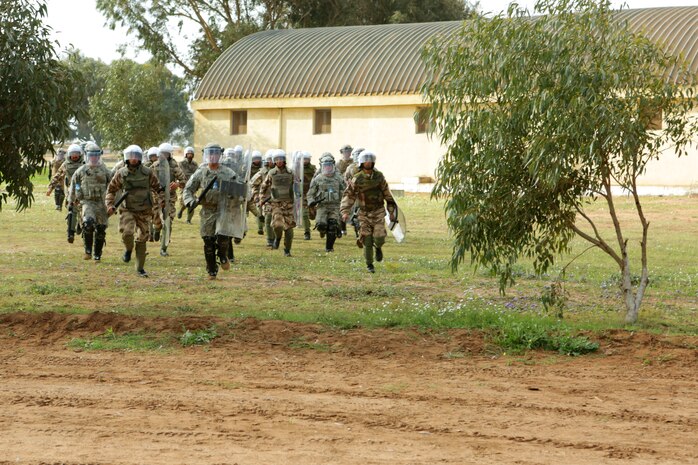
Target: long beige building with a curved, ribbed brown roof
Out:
[318,89]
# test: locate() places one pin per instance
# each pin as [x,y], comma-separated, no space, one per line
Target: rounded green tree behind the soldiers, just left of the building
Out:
[141,104]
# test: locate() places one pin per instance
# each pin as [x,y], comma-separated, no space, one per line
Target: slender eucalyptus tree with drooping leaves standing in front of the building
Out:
[541,117]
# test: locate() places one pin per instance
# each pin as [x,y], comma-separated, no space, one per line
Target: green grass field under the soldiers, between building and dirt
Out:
[413,287]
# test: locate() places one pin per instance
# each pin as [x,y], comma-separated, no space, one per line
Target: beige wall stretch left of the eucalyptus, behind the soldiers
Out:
[389,131]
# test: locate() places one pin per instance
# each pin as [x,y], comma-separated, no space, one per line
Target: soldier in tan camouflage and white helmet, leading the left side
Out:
[140,185]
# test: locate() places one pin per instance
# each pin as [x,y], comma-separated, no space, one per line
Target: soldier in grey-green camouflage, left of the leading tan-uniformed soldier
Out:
[88,188]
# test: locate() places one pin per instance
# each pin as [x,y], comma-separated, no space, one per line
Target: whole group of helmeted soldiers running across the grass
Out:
[226,186]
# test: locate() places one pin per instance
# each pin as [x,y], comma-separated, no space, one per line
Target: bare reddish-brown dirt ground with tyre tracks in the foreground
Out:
[268,392]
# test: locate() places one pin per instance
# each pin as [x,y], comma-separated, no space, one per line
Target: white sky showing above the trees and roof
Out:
[78,22]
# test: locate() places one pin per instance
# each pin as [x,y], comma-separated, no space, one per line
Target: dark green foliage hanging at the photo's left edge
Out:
[38,96]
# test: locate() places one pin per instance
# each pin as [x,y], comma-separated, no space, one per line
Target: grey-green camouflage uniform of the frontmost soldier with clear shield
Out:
[217,220]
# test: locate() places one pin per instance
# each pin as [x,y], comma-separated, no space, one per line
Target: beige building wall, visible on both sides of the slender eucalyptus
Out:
[386,127]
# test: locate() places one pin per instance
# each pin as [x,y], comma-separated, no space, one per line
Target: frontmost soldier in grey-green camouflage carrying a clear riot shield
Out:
[220,216]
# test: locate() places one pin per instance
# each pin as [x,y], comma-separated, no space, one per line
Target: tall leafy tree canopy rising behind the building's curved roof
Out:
[220,23]
